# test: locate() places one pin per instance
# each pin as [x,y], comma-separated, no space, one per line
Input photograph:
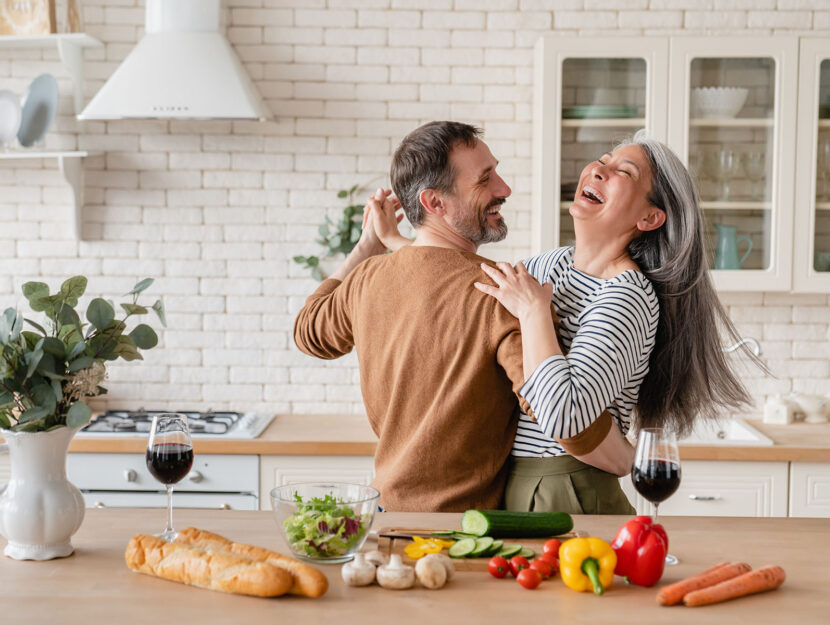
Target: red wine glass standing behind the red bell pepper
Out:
[656,470]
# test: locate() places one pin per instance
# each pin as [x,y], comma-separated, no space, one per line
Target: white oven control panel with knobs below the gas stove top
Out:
[211,472]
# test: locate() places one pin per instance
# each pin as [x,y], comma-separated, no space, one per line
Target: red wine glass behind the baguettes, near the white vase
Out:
[169,458]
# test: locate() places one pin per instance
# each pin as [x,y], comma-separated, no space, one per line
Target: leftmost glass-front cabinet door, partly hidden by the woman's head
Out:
[587,101]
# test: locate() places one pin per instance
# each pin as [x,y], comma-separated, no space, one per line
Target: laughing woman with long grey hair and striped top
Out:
[639,320]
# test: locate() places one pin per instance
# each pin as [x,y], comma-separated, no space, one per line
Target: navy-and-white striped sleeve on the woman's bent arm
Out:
[568,393]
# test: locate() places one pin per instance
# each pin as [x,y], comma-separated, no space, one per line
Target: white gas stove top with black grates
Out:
[210,424]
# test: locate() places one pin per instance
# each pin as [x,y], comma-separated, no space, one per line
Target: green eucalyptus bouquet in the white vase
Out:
[49,371]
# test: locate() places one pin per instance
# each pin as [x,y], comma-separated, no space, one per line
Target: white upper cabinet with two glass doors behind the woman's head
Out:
[744,163]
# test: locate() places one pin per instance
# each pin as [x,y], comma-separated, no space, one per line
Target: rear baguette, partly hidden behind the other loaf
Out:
[308,581]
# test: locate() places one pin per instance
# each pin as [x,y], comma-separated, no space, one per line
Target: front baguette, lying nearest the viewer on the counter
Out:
[198,567]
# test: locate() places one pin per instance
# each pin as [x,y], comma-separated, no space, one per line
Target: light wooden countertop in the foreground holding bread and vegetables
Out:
[95,586]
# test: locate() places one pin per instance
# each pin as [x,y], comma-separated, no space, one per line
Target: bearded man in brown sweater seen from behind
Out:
[440,362]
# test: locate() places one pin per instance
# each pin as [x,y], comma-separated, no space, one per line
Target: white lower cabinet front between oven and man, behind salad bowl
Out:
[280,470]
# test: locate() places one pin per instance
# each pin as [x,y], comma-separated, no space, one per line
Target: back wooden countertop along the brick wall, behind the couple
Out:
[350,435]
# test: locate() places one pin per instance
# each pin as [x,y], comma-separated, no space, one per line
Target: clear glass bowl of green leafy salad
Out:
[324,522]
